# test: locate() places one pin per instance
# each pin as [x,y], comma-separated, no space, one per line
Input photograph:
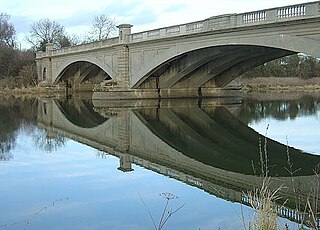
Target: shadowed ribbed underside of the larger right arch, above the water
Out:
[213,66]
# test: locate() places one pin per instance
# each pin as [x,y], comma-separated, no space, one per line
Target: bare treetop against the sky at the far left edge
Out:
[7,30]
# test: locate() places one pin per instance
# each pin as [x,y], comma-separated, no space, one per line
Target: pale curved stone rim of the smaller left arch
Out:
[58,72]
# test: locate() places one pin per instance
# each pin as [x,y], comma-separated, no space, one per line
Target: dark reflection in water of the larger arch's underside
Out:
[219,139]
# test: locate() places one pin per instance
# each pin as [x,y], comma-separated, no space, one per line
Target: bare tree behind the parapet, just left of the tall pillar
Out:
[102,27]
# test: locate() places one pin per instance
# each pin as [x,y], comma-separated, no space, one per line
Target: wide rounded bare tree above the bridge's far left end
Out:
[46,31]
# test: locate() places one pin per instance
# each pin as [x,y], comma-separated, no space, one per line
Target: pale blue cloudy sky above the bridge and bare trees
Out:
[77,15]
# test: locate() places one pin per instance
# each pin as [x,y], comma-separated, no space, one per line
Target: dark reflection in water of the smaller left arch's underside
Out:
[80,113]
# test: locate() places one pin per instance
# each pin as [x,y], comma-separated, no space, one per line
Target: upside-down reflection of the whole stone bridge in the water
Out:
[201,143]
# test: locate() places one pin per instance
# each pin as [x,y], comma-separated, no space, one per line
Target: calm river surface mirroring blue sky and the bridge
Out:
[79,164]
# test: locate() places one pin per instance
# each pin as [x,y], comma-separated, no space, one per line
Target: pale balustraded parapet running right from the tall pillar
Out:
[274,15]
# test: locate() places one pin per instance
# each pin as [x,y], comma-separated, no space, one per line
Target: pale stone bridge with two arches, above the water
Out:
[193,59]
